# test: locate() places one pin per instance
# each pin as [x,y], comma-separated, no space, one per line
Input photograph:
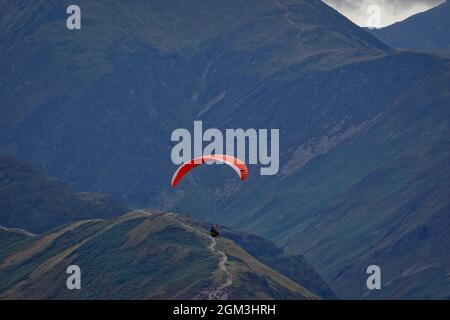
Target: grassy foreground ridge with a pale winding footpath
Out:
[141,255]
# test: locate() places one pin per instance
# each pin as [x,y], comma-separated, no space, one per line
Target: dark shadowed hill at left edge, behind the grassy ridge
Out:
[32,200]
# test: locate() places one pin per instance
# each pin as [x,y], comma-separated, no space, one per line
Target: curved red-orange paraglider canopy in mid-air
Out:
[235,163]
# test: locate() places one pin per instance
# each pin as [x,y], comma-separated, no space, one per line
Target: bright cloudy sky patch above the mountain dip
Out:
[391,11]
